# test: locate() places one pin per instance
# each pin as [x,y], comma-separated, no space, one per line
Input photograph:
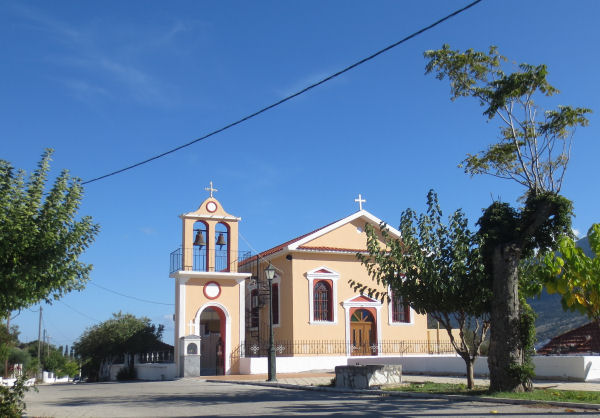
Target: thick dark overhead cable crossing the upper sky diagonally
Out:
[304,90]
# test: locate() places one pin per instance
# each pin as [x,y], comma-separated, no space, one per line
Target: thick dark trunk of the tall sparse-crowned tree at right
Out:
[505,346]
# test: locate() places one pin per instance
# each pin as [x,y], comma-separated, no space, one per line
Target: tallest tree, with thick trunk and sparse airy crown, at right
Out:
[533,149]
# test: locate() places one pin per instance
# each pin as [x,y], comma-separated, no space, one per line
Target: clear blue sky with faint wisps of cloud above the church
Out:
[107,84]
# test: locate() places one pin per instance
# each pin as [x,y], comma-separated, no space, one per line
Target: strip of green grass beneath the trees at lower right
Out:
[541,395]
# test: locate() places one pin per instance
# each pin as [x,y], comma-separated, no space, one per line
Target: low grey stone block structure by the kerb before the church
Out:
[367,376]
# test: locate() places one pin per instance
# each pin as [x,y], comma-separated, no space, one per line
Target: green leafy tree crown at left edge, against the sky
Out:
[41,238]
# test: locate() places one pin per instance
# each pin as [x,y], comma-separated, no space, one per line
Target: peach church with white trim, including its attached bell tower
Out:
[225,304]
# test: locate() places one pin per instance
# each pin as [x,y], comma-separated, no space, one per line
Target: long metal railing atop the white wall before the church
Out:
[341,347]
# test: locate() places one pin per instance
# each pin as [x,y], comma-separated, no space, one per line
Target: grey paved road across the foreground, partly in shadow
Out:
[194,397]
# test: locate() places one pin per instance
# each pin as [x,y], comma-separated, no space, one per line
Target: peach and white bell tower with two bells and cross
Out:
[209,291]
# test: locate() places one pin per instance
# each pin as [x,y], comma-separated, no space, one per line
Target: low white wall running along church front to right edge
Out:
[579,368]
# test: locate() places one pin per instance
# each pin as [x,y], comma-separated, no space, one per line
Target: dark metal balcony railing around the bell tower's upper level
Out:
[197,260]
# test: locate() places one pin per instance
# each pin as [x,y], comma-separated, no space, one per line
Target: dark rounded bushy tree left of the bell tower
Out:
[101,344]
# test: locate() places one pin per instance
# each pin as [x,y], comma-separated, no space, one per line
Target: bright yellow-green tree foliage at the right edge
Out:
[574,275]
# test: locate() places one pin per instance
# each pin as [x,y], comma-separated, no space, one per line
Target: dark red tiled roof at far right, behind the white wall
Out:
[582,340]
